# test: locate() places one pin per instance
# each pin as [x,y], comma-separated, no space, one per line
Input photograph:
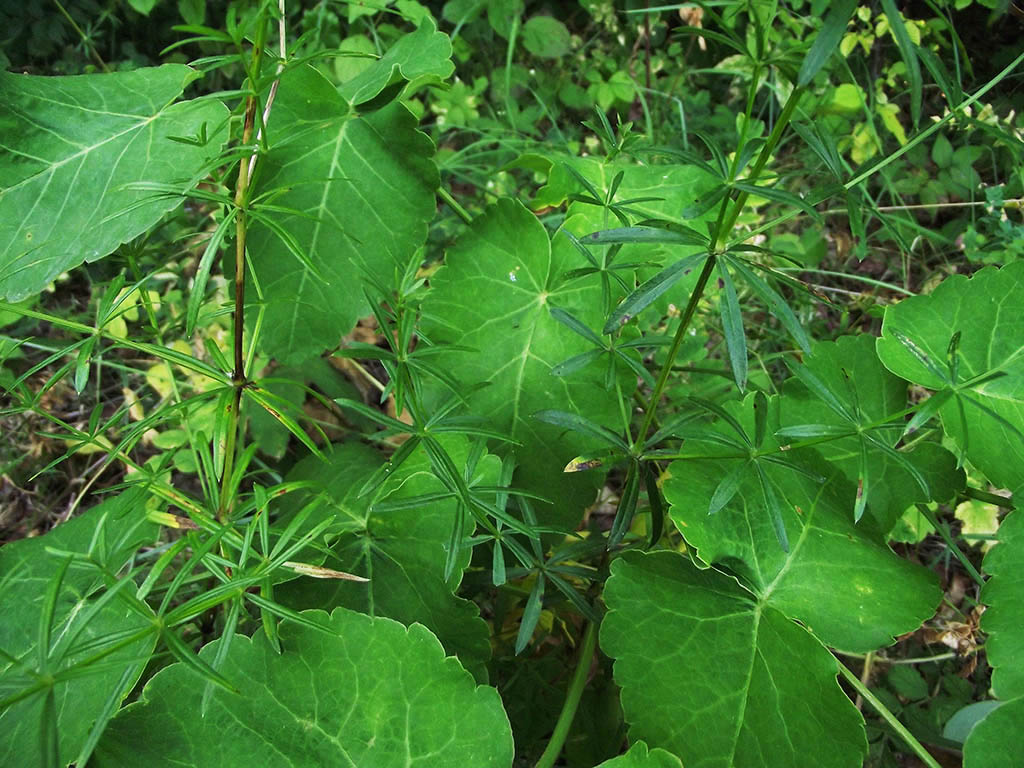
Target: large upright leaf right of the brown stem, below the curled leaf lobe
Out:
[363,191]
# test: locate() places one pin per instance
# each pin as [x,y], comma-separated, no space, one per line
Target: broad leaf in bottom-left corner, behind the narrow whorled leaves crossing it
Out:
[110,535]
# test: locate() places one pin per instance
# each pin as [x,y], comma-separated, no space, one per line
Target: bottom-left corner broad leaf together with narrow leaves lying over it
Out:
[79,560]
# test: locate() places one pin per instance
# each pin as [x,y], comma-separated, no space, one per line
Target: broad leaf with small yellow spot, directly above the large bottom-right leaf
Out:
[873,594]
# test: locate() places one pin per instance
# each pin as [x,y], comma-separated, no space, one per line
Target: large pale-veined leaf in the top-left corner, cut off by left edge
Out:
[69,148]
